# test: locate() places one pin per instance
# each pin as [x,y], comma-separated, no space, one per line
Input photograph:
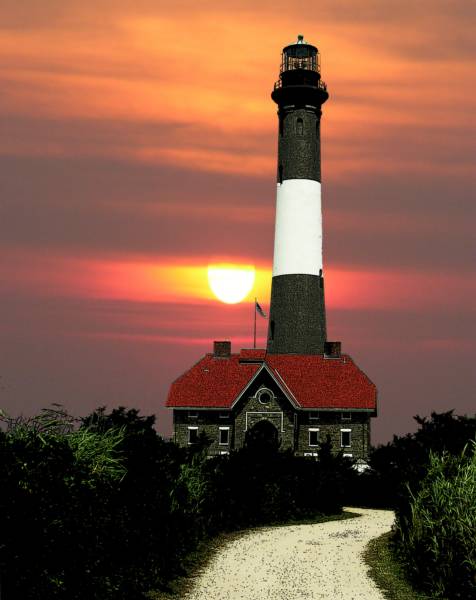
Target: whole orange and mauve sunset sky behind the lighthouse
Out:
[139,145]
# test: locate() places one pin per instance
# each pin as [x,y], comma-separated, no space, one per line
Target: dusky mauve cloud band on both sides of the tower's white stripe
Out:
[95,205]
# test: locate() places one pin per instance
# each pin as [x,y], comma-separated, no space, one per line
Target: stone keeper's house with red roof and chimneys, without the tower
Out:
[298,400]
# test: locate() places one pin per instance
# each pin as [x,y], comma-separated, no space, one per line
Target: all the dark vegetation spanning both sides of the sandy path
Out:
[103,508]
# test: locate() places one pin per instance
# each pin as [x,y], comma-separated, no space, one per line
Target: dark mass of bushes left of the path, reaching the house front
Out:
[103,507]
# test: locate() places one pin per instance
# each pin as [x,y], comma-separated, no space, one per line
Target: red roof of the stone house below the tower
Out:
[310,381]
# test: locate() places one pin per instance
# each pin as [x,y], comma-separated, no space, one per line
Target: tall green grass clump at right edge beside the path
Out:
[437,533]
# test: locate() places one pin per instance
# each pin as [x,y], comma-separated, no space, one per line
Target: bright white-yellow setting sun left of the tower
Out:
[231,283]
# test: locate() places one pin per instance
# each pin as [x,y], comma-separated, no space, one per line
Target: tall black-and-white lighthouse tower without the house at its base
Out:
[297,321]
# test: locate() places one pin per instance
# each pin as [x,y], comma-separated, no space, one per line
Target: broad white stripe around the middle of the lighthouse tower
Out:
[298,230]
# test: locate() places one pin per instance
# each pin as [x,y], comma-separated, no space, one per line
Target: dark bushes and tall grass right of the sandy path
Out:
[429,479]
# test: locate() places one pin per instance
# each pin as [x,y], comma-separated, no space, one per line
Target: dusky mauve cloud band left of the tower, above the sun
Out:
[89,205]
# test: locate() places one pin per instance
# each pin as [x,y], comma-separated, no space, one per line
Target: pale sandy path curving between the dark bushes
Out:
[296,562]
